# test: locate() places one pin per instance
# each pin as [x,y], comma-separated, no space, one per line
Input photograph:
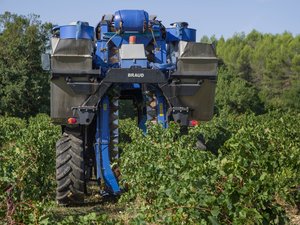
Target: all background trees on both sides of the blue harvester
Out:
[257,71]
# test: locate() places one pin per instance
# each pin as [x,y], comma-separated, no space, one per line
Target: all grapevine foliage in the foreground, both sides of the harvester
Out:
[169,179]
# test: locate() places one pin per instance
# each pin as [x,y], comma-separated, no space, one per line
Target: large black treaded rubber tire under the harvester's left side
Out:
[70,170]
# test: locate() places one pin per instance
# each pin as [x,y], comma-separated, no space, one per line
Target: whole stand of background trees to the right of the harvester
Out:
[258,71]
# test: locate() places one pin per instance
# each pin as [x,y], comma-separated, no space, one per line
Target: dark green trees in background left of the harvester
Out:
[24,87]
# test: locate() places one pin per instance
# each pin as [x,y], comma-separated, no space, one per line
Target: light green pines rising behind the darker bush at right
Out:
[269,62]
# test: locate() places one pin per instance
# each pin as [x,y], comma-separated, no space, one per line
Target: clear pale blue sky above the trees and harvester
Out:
[210,17]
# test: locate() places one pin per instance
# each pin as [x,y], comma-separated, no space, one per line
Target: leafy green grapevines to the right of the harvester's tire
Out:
[257,164]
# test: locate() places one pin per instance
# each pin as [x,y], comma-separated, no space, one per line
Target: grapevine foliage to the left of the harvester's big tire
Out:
[27,172]
